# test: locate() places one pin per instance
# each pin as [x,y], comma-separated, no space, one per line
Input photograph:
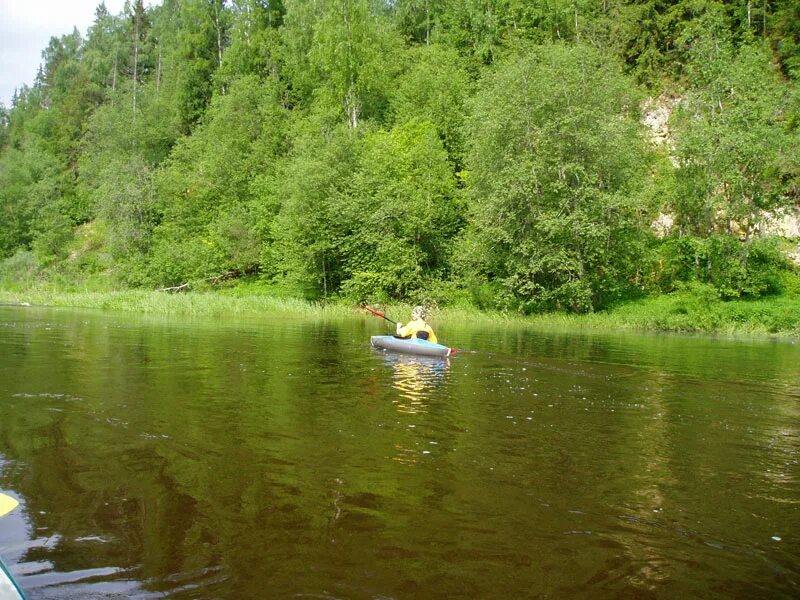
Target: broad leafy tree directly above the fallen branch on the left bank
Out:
[209,188]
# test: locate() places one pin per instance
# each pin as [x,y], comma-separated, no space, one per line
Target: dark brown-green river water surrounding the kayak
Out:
[270,458]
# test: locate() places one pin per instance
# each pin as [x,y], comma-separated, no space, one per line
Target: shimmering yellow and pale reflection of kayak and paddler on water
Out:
[416,379]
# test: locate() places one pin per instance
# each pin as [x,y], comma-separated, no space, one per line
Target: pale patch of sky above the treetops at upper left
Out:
[26,27]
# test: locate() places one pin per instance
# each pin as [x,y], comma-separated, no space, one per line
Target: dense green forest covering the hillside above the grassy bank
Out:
[493,153]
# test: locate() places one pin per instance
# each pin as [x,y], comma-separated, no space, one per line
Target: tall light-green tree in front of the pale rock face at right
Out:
[735,148]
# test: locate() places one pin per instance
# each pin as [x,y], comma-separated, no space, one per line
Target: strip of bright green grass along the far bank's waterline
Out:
[695,310]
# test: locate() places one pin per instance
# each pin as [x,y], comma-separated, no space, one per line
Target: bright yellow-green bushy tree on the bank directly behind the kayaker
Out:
[402,214]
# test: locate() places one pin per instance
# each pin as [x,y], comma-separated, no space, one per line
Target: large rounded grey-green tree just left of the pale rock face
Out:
[554,175]
